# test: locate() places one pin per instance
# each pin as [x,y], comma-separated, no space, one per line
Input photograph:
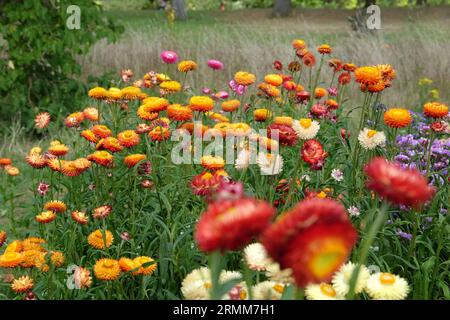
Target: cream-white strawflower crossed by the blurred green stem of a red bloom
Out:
[341,279]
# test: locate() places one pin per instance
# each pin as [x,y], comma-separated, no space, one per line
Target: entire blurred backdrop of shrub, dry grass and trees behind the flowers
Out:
[48,67]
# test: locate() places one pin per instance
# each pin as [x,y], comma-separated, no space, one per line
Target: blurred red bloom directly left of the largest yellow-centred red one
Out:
[232,224]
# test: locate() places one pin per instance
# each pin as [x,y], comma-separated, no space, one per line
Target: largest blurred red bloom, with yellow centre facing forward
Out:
[313,239]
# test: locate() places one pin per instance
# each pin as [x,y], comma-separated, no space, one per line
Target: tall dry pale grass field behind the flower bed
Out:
[414,41]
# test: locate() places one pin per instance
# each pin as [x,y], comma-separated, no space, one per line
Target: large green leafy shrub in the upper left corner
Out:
[38,54]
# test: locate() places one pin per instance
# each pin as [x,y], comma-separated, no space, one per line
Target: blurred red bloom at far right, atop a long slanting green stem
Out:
[400,186]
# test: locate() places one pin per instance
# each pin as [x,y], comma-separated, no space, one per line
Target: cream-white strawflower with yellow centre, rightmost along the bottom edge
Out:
[387,286]
